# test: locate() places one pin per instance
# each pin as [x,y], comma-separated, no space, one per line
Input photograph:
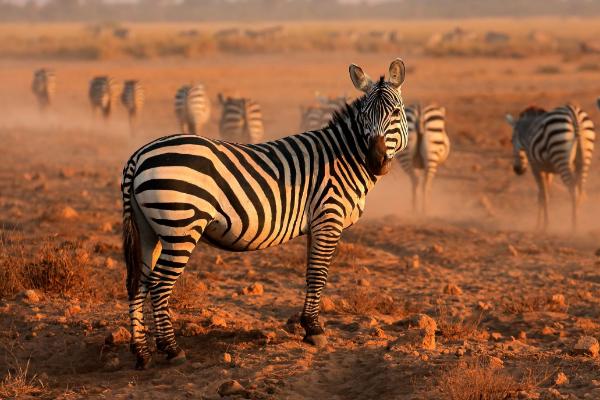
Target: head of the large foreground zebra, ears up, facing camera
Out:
[381,116]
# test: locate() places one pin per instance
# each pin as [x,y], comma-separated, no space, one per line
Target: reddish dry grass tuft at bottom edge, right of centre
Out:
[473,381]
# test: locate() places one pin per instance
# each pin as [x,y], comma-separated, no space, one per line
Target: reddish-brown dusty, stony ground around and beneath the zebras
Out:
[475,265]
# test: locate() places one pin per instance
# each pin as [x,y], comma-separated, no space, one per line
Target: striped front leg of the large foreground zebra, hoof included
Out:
[321,246]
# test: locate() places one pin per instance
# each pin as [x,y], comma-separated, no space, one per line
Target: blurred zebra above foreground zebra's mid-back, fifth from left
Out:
[241,120]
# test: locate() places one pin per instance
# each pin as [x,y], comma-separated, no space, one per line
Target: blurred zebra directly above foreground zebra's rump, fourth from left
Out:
[192,108]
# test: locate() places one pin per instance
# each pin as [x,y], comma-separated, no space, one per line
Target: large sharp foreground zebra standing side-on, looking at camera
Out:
[181,189]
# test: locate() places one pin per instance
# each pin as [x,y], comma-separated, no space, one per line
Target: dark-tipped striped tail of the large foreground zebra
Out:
[132,250]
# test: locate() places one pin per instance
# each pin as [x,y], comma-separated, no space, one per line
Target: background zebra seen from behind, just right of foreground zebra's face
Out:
[428,147]
